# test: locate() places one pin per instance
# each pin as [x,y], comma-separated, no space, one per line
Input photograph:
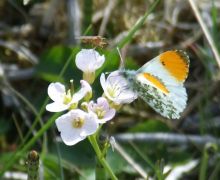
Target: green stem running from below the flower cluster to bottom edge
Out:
[99,154]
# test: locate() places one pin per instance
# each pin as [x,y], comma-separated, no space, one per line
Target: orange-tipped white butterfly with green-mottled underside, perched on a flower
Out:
[160,82]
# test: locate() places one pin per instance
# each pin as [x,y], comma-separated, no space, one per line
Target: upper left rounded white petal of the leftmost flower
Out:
[56,91]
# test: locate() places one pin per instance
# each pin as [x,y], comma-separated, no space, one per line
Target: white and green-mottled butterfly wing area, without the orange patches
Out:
[169,105]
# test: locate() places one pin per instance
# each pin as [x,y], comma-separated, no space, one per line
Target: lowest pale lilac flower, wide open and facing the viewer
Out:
[76,125]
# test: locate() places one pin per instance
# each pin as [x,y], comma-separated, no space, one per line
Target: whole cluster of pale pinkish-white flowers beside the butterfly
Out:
[84,115]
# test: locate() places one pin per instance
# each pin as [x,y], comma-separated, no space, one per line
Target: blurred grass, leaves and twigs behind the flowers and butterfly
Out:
[38,43]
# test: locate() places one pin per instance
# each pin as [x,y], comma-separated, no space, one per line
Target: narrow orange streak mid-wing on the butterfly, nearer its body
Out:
[156,82]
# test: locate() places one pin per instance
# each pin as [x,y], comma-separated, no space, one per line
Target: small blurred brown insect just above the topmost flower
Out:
[96,41]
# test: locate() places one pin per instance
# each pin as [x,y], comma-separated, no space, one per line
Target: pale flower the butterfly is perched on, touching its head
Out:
[116,88]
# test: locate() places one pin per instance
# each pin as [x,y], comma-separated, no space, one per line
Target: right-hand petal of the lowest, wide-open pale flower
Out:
[90,125]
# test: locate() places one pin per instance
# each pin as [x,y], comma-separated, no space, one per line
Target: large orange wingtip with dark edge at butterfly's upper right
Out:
[176,63]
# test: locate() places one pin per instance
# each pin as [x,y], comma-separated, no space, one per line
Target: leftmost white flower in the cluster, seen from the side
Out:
[63,99]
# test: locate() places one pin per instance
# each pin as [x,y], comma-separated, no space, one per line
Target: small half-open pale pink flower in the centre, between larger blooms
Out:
[102,110]
